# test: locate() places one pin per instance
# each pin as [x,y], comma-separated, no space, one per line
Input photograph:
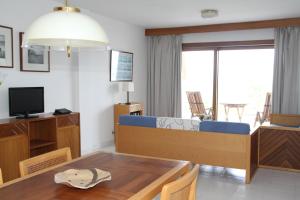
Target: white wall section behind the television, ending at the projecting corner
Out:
[59,82]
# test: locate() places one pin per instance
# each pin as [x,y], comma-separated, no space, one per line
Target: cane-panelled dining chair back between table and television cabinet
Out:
[45,161]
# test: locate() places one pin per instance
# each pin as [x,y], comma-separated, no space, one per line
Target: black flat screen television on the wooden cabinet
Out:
[24,101]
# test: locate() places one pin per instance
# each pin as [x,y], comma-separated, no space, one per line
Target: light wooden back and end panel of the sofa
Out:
[217,149]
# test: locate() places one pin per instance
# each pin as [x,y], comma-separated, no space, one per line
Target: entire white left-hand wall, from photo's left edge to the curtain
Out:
[81,83]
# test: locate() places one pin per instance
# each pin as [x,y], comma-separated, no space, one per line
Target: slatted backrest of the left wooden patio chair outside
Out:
[196,103]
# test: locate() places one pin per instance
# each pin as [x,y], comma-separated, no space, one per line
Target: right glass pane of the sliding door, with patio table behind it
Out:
[245,78]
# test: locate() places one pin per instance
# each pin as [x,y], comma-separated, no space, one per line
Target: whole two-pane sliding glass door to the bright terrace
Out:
[234,81]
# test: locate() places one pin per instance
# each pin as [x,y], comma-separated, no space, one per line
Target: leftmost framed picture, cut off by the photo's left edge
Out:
[6,47]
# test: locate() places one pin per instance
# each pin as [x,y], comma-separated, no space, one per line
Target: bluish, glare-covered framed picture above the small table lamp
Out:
[121,66]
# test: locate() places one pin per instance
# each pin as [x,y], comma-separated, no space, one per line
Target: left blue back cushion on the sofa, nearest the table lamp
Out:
[136,120]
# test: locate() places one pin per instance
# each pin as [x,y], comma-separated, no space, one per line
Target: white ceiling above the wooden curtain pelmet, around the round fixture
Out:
[172,13]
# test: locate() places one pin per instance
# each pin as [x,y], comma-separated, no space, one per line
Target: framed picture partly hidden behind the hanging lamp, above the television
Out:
[35,58]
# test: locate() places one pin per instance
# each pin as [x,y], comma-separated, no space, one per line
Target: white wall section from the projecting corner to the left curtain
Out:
[96,94]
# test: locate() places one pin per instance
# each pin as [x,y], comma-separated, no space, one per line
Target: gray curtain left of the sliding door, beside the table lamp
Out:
[164,76]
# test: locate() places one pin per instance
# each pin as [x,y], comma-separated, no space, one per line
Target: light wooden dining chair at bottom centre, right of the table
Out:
[182,189]
